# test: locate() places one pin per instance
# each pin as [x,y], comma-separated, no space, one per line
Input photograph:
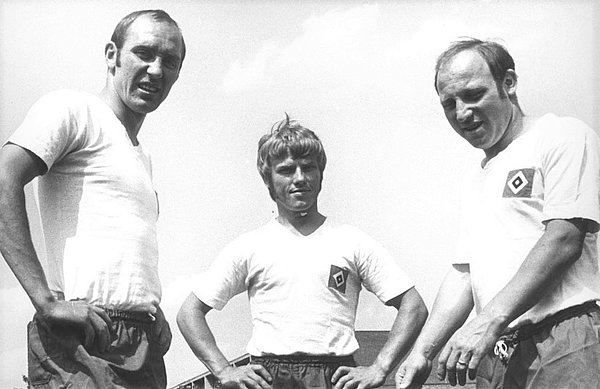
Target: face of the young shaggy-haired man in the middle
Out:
[295,183]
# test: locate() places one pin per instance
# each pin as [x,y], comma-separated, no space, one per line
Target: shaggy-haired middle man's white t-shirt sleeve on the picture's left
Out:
[226,276]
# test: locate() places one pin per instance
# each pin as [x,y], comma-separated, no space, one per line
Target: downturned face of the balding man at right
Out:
[473,105]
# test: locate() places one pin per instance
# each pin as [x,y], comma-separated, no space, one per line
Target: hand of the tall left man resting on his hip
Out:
[93,320]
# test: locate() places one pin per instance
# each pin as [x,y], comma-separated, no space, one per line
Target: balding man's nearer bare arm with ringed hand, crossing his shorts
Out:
[557,249]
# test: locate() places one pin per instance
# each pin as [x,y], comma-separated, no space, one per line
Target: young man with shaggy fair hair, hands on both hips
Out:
[303,273]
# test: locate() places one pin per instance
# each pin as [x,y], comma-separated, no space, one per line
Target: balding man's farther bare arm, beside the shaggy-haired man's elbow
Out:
[452,305]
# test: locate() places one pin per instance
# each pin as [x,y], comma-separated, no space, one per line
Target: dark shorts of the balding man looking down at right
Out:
[563,355]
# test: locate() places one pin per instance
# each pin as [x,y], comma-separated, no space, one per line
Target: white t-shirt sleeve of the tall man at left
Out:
[49,129]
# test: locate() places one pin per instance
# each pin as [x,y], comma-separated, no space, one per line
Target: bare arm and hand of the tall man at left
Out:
[17,168]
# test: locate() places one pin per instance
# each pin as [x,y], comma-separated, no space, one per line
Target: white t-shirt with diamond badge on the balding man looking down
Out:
[552,171]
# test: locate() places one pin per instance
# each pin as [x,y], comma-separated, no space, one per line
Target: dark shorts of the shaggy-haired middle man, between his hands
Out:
[302,372]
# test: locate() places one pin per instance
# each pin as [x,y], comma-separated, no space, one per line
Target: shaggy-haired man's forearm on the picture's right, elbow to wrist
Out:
[410,318]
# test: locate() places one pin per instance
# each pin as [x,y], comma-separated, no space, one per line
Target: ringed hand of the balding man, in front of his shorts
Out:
[466,348]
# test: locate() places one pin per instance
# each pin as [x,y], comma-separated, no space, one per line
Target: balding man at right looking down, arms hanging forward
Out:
[526,257]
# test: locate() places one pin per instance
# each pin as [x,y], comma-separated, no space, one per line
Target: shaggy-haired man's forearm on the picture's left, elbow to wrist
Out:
[191,320]
